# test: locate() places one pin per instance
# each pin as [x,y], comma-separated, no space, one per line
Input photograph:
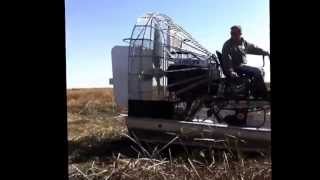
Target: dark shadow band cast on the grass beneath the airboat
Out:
[90,148]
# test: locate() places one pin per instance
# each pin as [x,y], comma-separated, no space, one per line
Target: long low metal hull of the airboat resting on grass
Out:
[200,134]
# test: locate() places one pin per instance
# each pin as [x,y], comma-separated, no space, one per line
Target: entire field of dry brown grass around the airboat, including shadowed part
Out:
[100,149]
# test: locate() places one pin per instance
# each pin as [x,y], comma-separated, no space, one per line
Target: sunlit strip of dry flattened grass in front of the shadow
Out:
[145,168]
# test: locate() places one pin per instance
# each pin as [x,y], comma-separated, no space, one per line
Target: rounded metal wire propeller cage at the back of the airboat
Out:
[155,43]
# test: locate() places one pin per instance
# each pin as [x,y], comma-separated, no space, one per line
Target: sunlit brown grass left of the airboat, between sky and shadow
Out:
[91,114]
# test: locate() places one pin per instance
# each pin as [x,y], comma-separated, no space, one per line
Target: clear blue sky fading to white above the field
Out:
[93,27]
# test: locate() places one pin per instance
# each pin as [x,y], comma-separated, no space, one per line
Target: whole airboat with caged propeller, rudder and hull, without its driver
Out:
[175,90]
